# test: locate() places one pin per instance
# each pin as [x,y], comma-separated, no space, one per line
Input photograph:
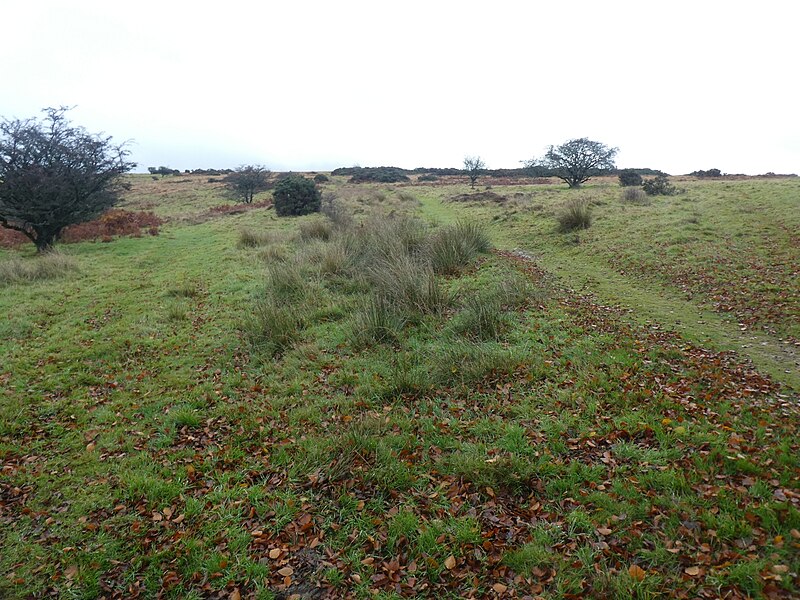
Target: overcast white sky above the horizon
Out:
[314,84]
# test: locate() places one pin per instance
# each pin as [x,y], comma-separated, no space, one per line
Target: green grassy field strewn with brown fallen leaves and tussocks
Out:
[381,405]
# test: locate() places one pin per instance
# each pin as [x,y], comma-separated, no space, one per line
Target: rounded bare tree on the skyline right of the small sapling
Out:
[576,161]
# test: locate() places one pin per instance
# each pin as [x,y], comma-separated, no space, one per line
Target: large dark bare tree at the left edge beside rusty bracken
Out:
[54,174]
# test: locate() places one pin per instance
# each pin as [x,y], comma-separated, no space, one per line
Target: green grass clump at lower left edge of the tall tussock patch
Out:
[274,326]
